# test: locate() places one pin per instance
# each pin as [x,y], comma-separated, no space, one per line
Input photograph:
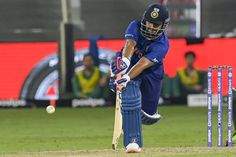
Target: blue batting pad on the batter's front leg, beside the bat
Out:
[131,108]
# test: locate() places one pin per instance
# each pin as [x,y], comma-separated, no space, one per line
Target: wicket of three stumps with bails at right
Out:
[220,104]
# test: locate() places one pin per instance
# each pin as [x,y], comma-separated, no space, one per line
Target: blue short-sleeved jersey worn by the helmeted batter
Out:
[153,50]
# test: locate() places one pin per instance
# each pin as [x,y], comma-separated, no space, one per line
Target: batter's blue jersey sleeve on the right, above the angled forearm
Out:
[157,53]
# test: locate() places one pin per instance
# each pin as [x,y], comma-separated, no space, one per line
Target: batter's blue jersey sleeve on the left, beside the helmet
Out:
[132,31]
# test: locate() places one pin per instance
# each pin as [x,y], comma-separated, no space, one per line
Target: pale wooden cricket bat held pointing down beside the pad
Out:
[118,117]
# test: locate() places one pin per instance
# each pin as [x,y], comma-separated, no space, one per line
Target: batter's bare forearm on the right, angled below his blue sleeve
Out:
[138,68]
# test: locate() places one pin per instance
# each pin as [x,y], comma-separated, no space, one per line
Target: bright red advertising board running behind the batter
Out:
[19,59]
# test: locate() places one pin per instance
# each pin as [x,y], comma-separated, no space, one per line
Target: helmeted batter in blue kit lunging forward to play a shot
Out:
[141,66]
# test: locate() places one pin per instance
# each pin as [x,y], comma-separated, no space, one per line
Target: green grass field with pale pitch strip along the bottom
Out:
[88,132]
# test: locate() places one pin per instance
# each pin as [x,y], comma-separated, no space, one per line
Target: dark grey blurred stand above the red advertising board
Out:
[37,20]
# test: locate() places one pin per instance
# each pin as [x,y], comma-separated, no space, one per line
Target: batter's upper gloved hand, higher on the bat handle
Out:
[120,65]
